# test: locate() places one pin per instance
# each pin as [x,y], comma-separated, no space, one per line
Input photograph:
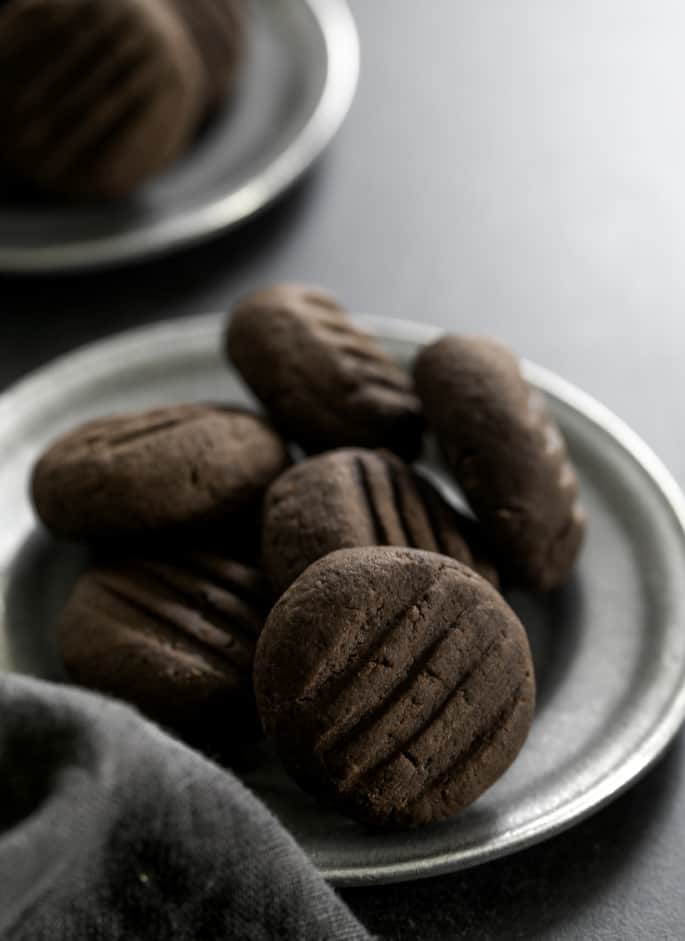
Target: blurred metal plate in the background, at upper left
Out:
[296,87]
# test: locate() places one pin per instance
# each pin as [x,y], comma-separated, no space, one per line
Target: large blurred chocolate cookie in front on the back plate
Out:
[96,96]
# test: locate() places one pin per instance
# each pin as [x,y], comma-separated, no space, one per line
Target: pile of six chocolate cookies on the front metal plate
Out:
[341,604]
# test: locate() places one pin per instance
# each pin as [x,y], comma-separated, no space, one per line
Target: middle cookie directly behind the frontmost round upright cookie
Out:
[352,497]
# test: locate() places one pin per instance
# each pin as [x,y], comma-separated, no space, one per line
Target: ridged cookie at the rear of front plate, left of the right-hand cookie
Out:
[324,382]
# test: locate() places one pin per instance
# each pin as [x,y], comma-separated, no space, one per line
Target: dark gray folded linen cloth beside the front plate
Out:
[110,829]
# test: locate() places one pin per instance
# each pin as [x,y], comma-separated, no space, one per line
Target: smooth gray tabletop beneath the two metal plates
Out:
[515,169]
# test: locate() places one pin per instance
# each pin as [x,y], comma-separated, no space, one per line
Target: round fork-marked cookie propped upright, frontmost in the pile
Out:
[397,684]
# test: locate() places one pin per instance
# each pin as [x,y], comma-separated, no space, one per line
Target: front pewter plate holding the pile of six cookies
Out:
[609,649]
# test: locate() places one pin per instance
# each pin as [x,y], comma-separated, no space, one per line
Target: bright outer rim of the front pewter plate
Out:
[66,373]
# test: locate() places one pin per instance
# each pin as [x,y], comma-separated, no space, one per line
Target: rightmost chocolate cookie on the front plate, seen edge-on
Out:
[507,454]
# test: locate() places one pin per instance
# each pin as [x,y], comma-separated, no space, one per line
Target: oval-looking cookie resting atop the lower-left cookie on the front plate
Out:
[183,465]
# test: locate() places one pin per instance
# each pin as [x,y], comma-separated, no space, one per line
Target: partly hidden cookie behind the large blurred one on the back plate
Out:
[218,30]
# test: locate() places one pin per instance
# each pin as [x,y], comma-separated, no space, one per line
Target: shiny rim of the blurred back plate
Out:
[341,48]
